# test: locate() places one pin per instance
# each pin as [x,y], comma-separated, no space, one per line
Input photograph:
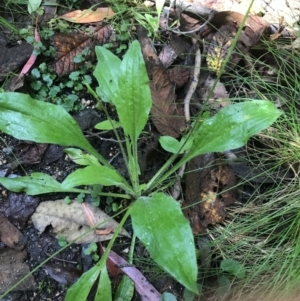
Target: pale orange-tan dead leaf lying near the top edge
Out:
[88,15]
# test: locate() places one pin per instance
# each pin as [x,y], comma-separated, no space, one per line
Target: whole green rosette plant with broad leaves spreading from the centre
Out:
[157,219]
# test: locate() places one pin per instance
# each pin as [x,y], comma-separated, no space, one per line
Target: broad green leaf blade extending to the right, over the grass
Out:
[232,126]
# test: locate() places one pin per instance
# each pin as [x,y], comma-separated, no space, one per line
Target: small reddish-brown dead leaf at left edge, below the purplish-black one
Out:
[10,235]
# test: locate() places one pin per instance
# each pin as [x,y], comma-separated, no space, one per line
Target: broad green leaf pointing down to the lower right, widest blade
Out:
[159,223]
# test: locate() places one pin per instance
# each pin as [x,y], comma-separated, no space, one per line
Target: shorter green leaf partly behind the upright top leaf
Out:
[107,72]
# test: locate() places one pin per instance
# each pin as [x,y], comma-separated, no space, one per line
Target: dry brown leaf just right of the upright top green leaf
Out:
[166,115]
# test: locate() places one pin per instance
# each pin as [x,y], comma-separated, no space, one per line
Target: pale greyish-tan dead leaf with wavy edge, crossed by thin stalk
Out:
[70,221]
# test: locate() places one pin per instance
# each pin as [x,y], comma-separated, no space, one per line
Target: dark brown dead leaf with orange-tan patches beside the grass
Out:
[209,189]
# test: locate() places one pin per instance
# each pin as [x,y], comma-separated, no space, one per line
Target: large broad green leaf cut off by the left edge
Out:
[28,119]
